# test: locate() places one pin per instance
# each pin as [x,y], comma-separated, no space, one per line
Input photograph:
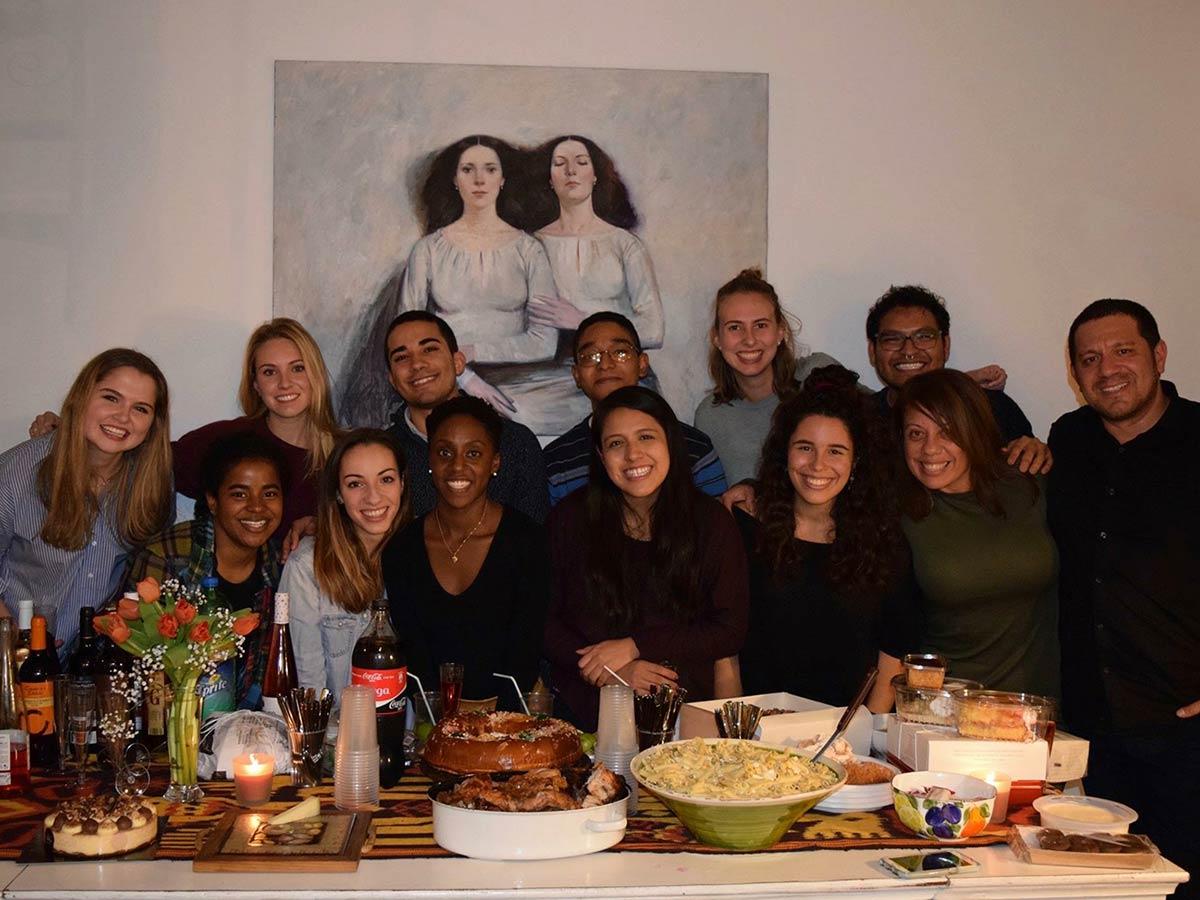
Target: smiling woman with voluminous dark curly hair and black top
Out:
[831,586]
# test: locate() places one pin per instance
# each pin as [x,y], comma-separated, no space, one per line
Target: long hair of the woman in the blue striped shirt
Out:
[143,484]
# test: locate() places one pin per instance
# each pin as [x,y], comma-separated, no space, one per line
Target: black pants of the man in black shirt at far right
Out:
[1159,775]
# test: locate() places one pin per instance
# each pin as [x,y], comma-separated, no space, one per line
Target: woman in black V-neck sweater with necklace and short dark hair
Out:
[469,583]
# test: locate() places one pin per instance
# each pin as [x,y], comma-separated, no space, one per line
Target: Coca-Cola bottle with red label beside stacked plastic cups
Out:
[379,664]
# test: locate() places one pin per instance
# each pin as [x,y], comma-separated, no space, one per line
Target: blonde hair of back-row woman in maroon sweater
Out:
[322,430]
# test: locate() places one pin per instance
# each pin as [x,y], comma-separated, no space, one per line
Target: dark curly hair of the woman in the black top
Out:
[868,550]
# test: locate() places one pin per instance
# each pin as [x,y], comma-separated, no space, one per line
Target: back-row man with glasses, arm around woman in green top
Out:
[909,333]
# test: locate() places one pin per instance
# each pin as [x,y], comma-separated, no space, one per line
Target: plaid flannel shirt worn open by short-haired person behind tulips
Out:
[187,553]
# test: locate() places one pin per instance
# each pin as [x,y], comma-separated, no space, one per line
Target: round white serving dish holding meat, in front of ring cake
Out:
[554,835]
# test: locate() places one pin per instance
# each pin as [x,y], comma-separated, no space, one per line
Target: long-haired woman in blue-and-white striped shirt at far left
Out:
[76,502]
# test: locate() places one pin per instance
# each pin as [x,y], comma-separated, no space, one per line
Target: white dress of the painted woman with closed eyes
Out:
[608,272]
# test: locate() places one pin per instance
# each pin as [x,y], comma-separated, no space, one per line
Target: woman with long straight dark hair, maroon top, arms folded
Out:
[650,577]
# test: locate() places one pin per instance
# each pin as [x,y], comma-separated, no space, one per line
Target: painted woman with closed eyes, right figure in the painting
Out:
[581,213]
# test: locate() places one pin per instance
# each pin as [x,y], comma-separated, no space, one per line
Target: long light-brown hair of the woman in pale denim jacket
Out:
[345,572]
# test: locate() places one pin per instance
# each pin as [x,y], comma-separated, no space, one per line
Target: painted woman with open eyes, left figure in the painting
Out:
[478,271]
